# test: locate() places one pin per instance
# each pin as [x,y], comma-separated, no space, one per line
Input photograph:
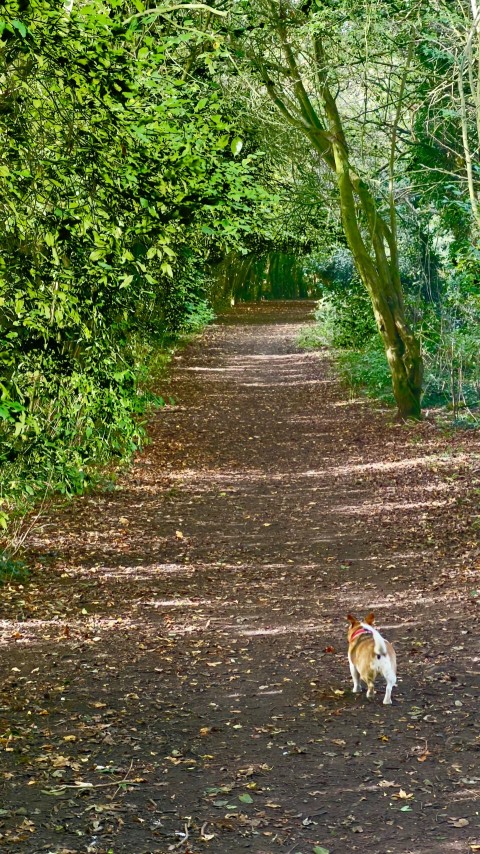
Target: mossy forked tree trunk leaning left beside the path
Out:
[373,244]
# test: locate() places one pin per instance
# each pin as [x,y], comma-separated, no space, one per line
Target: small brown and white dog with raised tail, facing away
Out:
[369,656]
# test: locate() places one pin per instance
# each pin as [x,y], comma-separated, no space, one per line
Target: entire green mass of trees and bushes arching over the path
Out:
[148,151]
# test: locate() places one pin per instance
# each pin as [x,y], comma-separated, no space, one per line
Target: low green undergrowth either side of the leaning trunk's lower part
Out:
[447,318]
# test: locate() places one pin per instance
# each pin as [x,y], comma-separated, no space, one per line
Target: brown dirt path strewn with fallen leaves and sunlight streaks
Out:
[177,663]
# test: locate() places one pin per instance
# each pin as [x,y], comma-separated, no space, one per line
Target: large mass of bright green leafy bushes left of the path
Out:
[120,173]
